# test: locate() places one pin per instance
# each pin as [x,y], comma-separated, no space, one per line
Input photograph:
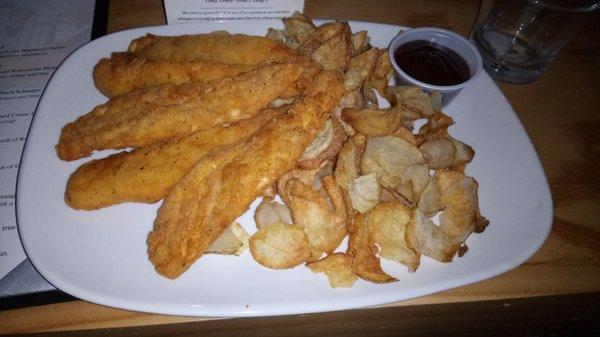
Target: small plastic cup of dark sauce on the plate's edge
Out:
[435,60]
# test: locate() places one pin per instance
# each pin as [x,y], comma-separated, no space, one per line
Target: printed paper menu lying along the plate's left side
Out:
[35,36]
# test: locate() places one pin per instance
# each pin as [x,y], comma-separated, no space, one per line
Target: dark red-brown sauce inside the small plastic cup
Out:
[432,63]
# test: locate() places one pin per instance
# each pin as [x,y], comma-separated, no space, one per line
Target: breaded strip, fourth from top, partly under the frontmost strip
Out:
[146,174]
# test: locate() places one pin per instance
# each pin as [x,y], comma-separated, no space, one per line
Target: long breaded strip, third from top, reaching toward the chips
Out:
[156,114]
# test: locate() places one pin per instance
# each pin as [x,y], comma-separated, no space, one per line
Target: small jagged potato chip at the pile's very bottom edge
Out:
[337,267]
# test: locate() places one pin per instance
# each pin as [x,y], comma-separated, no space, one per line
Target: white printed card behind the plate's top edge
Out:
[186,11]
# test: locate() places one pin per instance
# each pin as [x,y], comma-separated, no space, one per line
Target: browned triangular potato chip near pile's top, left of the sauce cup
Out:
[334,54]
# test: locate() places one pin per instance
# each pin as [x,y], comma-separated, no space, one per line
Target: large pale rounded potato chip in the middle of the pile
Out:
[389,157]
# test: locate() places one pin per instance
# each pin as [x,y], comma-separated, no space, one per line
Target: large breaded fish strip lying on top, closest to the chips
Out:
[223,184]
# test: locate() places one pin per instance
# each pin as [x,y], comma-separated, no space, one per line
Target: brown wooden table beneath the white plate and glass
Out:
[558,289]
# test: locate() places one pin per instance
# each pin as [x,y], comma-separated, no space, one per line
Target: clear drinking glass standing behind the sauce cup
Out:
[519,38]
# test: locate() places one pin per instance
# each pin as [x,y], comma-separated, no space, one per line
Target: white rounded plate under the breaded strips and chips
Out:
[100,256]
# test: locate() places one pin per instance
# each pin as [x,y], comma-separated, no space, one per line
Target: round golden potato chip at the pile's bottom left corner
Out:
[280,246]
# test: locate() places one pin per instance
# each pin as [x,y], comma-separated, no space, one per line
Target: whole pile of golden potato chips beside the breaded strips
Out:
[369,175]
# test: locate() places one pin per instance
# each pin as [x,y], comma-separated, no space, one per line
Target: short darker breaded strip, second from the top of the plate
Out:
[124,72]
